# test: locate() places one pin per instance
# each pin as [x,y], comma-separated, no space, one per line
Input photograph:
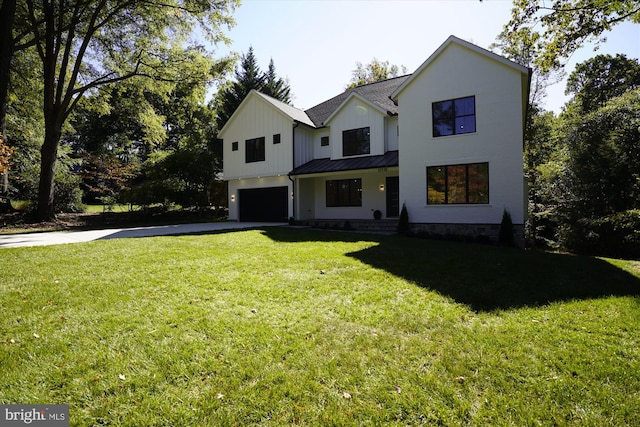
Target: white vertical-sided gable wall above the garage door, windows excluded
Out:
[258,118]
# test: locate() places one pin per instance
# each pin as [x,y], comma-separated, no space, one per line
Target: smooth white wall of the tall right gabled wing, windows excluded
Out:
[460,72]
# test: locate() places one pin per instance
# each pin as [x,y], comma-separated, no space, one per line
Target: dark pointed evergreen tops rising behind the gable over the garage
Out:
[248,76]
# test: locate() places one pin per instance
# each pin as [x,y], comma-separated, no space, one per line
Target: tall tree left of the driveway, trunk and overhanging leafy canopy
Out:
[84,44]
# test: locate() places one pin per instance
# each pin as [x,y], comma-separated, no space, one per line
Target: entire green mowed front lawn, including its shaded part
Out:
[302,327]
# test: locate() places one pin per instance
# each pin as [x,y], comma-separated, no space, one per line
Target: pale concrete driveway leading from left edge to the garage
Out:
[63,237]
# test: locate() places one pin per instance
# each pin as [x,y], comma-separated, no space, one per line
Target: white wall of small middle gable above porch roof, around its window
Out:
[356,114]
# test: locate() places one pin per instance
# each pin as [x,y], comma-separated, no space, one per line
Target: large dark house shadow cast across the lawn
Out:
[484,277]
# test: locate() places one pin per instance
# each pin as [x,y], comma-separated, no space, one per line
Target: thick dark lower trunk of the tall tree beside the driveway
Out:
[49,155]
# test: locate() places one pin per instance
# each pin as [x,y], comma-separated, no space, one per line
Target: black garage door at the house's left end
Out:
[264,204]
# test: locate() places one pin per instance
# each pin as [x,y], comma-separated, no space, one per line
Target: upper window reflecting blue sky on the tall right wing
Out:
[454,116]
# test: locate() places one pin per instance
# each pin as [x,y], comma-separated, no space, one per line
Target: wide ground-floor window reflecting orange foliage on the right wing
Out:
[458,184]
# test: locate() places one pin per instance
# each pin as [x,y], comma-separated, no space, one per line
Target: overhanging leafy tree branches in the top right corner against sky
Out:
[563,26]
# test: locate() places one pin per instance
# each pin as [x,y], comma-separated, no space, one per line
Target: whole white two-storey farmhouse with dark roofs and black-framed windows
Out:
[445,141]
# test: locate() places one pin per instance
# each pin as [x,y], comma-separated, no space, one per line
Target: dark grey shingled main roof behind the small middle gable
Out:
[378,93]
